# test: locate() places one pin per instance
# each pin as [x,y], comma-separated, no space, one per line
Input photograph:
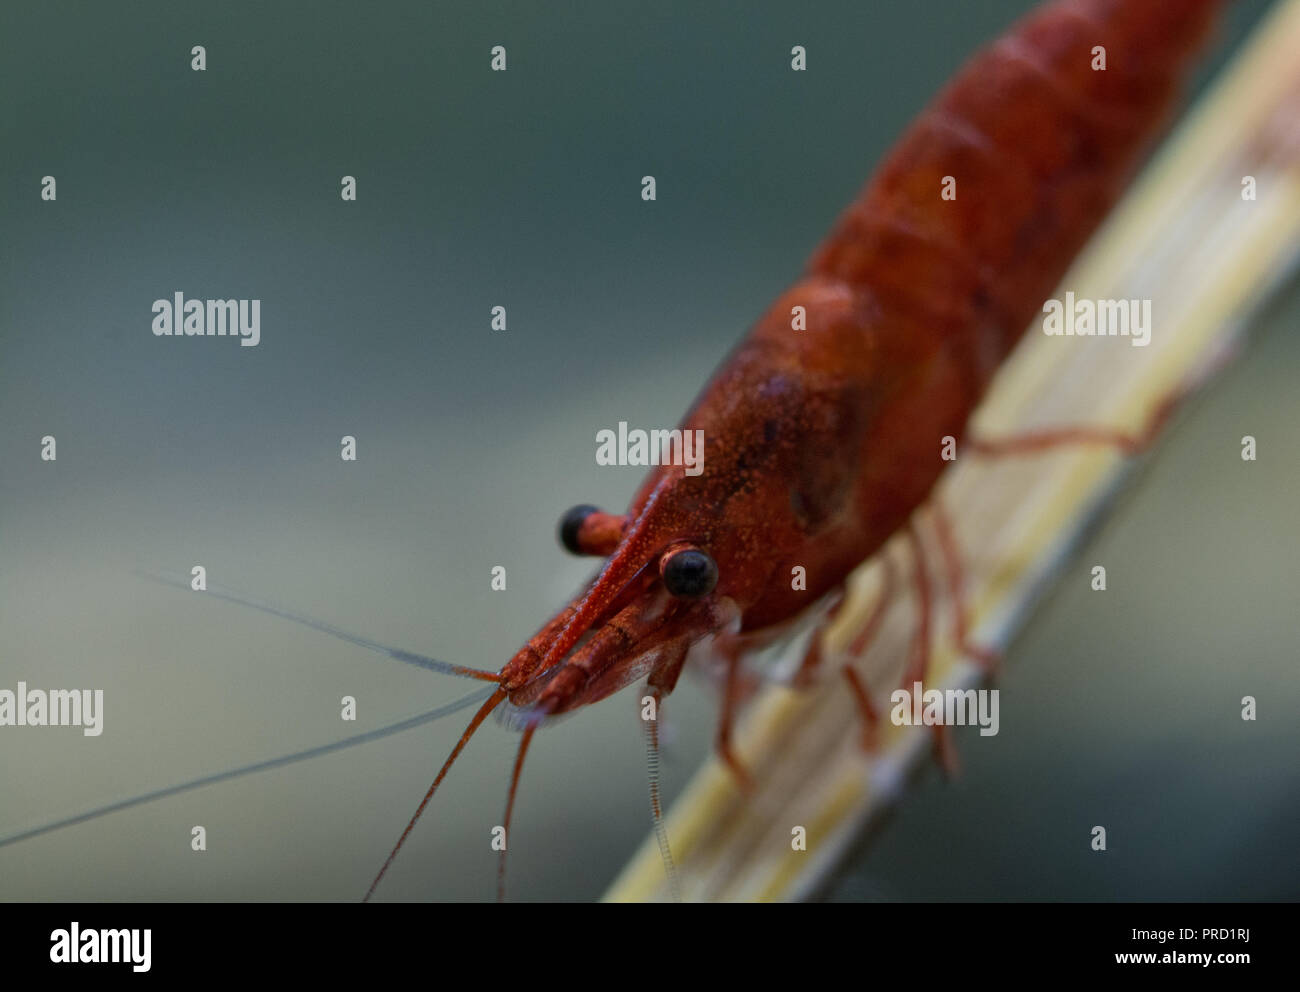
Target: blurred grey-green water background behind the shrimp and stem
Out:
[522,189]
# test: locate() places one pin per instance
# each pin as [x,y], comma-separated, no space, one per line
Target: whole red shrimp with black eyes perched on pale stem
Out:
[824,441]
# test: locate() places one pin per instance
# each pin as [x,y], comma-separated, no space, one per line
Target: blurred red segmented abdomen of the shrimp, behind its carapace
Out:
[1039,142]
